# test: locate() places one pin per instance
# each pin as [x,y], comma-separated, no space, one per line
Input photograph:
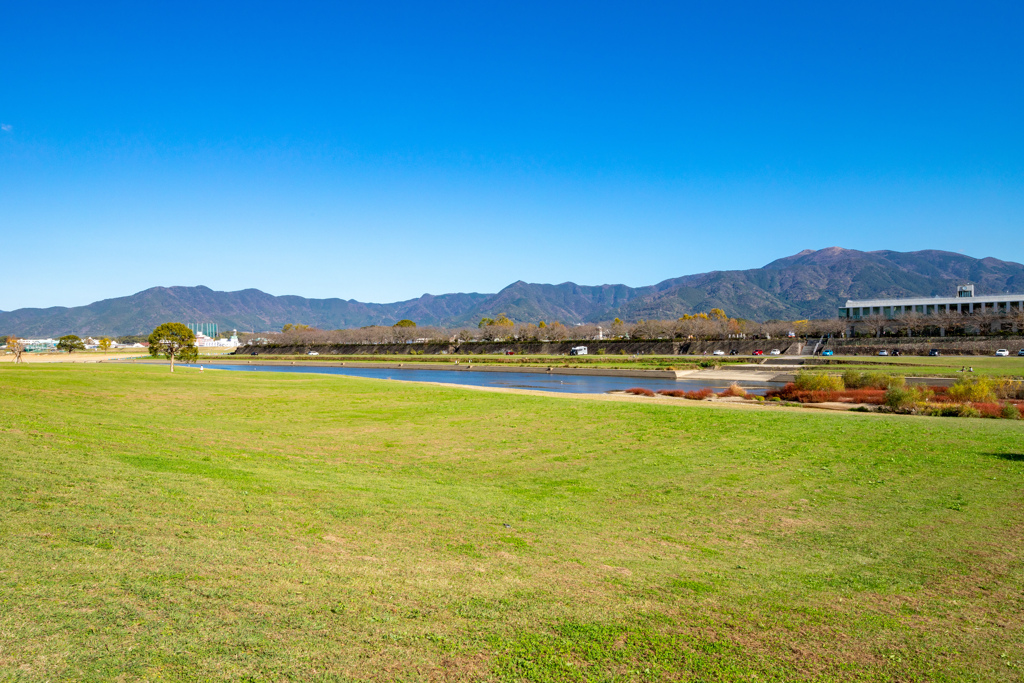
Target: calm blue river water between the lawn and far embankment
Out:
[508,380]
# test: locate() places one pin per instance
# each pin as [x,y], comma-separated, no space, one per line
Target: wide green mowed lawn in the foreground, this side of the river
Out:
[268,527]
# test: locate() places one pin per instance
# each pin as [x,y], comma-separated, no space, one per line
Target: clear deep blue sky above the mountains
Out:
[379,151]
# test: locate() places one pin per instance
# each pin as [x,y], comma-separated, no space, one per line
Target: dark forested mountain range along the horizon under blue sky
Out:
[808,285]
